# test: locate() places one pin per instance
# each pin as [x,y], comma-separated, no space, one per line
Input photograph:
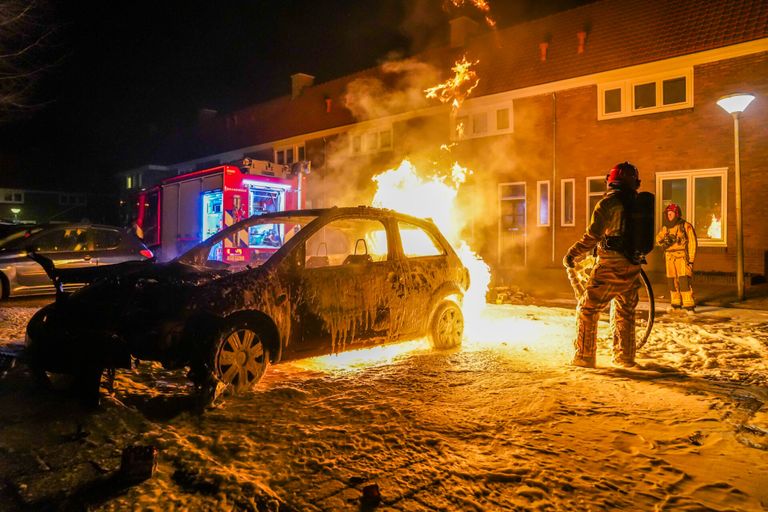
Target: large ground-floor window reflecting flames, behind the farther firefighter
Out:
[701,195]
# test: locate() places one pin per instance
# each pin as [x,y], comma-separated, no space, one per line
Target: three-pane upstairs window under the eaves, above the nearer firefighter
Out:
[646,94]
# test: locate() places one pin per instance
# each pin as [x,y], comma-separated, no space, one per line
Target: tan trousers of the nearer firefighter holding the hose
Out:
[614,280]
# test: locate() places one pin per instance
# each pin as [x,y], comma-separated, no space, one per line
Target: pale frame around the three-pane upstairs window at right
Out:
[627,88]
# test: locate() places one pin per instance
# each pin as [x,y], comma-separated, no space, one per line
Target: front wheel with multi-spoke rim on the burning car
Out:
[241,357]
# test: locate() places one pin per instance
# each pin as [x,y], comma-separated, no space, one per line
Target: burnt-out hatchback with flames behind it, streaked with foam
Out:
[272,288]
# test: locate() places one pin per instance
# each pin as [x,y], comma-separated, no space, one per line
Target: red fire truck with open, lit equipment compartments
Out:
[186,209]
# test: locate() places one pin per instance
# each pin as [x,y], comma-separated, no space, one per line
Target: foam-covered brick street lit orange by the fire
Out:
[502,424]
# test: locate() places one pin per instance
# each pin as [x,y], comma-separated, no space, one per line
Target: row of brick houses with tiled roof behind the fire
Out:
[560,100]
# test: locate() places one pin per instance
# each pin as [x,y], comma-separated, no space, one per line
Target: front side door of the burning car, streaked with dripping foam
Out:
[343,291]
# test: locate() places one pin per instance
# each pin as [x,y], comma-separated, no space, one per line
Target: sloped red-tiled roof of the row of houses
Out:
[620,33]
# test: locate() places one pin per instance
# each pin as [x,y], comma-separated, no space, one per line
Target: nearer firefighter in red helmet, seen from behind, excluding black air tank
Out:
[615,277]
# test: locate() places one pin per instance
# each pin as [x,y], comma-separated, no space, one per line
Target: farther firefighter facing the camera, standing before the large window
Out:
[678,239]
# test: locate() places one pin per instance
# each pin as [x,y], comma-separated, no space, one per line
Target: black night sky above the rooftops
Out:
[121,74]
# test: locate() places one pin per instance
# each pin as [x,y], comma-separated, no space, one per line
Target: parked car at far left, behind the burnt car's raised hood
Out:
[68,246]
